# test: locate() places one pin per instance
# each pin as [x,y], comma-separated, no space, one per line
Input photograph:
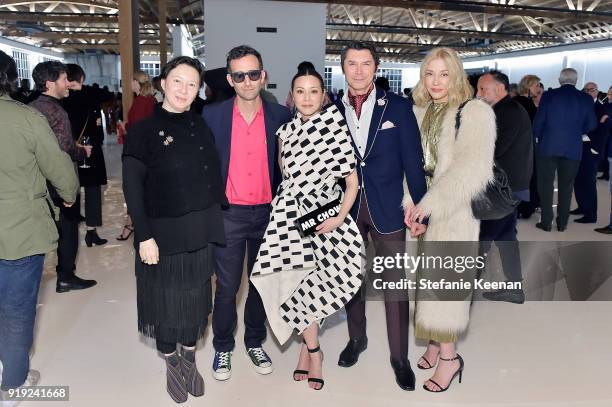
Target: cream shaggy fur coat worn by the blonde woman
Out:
[463,170]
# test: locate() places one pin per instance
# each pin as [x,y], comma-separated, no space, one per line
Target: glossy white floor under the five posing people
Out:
[537,354]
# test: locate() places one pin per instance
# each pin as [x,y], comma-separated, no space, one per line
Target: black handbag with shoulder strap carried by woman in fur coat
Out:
[497,201]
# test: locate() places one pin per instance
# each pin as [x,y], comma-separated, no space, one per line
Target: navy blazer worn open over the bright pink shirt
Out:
[218,116]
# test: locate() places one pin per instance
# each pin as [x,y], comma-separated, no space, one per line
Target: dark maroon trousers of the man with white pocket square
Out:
[396,310]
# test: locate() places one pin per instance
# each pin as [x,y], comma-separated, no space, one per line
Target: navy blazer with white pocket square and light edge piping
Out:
[390,155]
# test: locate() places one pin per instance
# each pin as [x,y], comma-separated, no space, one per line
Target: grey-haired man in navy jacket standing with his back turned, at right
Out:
[564,116]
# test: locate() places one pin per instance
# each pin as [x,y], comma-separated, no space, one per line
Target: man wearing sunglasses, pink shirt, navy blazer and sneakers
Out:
[244,128]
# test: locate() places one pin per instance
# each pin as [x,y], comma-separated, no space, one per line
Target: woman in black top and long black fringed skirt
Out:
[173,189]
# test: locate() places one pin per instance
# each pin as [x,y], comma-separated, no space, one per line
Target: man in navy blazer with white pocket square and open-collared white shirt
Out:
[387,143]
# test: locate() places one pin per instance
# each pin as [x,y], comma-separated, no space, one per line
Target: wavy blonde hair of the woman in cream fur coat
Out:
[459,89]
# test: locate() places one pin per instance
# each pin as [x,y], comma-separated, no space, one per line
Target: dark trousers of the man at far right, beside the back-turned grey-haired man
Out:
[585,185]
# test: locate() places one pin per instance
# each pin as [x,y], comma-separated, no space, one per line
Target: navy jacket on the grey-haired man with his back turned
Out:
[564,115]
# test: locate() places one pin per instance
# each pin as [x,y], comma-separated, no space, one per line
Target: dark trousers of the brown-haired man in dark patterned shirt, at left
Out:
[67,246]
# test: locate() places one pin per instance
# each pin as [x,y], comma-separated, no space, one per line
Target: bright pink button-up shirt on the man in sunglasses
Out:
[248,179]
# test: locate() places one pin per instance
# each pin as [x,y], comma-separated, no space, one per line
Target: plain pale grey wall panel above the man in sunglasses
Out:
[300,35]
